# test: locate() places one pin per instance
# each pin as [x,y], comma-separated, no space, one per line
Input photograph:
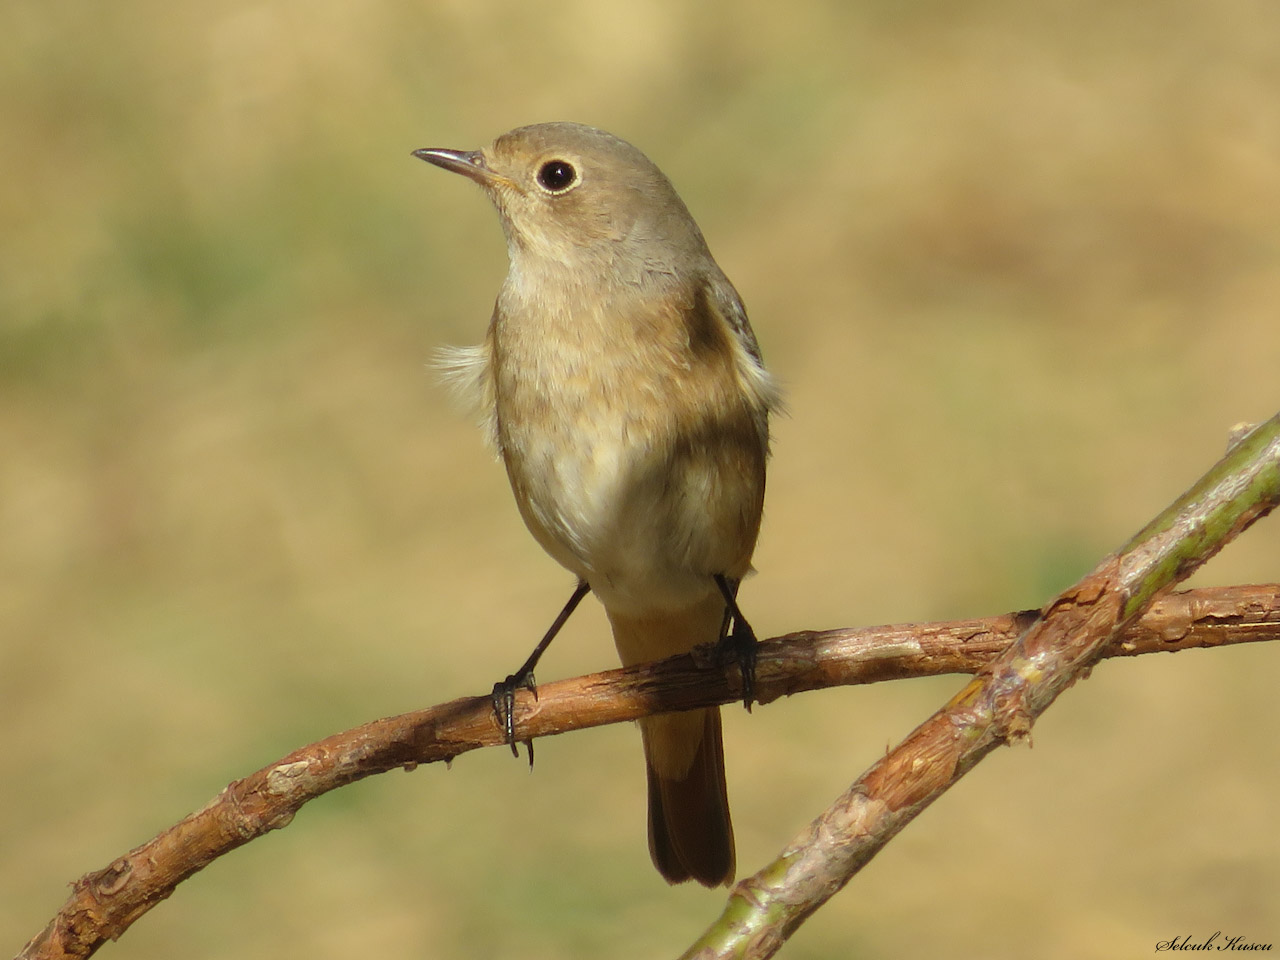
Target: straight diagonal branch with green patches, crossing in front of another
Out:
[1000,705]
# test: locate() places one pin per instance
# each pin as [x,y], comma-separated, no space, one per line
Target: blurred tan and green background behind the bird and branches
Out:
[1017,266]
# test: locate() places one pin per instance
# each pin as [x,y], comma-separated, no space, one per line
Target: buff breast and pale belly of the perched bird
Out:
[637,465]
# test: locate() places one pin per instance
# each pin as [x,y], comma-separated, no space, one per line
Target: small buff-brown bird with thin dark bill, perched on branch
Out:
[625,392]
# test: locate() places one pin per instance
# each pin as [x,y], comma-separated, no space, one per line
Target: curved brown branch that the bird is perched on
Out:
[104,904]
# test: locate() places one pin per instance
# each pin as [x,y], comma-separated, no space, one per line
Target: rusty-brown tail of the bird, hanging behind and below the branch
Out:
[691,834]
